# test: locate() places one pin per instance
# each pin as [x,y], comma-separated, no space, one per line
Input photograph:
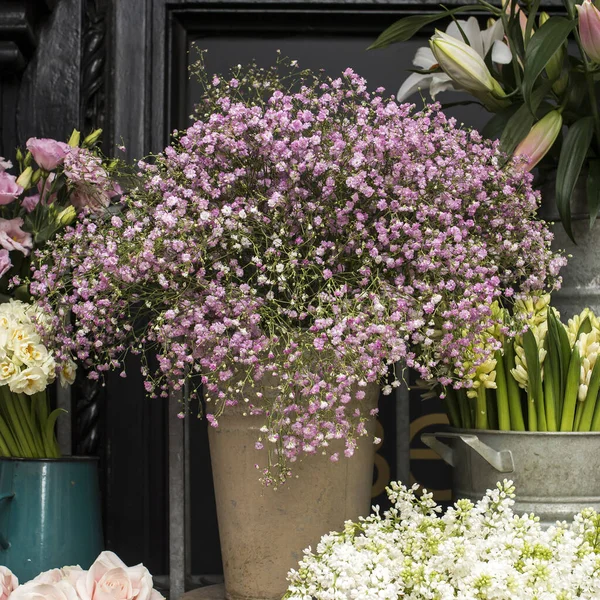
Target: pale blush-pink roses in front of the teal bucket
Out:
[107,579]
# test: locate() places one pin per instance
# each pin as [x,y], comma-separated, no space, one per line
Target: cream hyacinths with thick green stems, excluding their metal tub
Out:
[547,379]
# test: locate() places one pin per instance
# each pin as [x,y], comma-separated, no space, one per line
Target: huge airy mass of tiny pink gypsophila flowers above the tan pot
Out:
[305,229]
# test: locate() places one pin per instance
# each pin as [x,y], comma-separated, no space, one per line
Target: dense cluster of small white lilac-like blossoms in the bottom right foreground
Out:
[481,551]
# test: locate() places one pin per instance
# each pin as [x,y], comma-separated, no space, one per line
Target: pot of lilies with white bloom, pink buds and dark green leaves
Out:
[544,105]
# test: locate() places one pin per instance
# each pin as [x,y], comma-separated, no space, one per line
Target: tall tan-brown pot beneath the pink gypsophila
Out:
[264,531]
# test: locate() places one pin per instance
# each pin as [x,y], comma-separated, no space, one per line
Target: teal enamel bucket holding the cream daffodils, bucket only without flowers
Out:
[49,514]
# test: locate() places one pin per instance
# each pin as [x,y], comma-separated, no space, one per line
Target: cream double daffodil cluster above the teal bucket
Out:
[26,365]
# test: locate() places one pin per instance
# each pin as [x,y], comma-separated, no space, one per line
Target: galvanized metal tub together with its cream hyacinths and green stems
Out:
[531,413]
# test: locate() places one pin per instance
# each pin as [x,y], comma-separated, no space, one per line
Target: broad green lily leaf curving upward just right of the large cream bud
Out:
[541,48]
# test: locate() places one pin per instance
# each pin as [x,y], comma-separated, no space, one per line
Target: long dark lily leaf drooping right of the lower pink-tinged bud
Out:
[572,155]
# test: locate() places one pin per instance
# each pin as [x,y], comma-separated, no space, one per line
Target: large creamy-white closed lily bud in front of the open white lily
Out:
[463,65]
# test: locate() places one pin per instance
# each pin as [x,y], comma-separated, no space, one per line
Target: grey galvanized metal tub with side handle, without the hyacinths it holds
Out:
[556,474]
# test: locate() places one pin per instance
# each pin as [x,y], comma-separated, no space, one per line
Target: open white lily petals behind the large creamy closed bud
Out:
[481,41]
